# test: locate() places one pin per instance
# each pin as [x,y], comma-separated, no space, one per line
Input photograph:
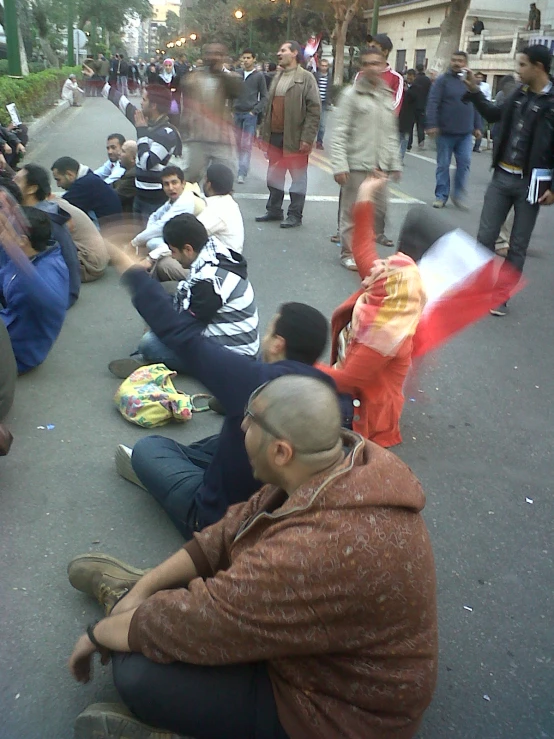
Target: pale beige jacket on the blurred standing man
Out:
[366,130]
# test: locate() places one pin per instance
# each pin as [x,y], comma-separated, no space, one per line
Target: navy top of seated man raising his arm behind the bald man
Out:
[231,377]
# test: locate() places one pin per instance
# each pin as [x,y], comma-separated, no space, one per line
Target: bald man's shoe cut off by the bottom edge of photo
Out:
[107,720]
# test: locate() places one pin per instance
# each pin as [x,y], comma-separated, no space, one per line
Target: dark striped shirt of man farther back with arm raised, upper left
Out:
[156,145]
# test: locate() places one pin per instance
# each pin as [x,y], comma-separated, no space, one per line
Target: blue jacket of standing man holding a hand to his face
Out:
[447,111]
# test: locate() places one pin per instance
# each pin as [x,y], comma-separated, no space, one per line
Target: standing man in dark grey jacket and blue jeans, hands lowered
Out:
[249,105]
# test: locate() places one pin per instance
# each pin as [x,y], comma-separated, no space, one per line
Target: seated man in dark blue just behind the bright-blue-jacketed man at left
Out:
[34,184]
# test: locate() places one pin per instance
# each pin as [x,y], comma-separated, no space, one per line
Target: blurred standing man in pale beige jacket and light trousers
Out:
[365,107]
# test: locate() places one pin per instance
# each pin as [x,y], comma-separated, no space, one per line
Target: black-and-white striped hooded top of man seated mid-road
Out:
[220,295]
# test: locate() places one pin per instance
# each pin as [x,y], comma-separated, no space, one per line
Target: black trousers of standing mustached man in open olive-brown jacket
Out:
[279,164]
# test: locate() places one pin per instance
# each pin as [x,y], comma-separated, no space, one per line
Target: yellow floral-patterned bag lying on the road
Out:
[148,398]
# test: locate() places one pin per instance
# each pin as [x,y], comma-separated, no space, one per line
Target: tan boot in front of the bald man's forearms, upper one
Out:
[103,577]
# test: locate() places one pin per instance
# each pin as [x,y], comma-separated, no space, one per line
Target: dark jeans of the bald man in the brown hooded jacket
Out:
[228,702]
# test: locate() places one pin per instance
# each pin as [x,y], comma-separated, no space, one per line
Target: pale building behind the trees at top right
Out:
[414,29]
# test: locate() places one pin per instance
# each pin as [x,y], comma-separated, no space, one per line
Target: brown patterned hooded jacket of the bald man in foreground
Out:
[334,587]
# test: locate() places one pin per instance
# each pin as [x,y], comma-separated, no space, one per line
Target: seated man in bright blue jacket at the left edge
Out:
[34,285]
